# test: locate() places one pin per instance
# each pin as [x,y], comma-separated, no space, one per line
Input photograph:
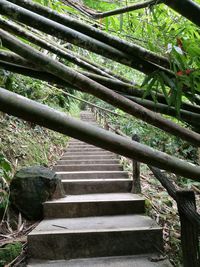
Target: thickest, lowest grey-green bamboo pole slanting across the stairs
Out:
[32,111]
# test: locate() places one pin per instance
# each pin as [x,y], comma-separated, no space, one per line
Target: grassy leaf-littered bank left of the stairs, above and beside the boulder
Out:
[24,144]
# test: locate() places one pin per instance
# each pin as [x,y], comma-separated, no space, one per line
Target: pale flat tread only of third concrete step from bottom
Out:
[106,197]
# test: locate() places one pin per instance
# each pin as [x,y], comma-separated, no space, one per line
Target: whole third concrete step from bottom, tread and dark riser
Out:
[94,205]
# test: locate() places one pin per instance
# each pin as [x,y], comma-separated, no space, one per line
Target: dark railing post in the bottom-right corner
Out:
[189,230]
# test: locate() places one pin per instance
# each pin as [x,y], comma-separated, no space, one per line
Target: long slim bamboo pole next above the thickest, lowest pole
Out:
[87,85]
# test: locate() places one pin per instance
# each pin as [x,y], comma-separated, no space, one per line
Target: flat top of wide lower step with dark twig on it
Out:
[112,223]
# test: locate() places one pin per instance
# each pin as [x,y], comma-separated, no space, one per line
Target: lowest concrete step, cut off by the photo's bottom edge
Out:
[148,260]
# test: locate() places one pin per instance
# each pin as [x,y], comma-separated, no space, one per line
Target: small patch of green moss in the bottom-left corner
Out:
[9,252]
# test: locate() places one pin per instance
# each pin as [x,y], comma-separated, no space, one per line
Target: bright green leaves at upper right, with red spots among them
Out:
[161,30]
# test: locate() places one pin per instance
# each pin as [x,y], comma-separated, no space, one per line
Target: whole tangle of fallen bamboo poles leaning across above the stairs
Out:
[24,22]
